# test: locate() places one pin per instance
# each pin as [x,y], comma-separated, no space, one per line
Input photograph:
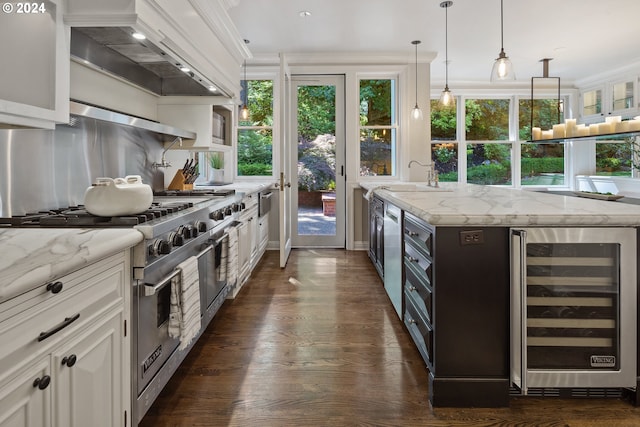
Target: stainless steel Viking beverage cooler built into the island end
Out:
[573,302]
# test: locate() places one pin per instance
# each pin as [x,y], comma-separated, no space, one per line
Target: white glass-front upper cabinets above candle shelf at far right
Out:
[614,98]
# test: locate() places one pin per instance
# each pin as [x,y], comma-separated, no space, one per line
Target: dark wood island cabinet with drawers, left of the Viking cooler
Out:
[456,308]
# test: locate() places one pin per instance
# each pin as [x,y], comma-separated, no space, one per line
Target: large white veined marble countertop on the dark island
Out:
[456,204]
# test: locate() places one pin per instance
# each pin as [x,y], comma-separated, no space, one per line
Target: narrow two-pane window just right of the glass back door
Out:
[378,127]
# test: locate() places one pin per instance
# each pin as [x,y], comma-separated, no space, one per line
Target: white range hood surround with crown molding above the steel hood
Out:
[195,35]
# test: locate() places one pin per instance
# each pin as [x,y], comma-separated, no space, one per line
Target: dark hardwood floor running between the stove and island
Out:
[319,344]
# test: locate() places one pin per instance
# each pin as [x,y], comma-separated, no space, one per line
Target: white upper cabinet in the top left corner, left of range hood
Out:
[34,78]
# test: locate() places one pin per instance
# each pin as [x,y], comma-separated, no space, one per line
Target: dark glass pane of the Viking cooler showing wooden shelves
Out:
[573,306]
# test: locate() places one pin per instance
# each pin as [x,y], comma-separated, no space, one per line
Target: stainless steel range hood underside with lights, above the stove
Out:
[114,50]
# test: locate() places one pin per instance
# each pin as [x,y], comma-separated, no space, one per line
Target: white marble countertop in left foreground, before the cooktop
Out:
[34,256]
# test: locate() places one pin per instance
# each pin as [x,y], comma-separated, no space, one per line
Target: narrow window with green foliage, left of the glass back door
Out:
[255,135]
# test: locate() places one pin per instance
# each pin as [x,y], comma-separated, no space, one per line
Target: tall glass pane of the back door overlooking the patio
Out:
[316,160]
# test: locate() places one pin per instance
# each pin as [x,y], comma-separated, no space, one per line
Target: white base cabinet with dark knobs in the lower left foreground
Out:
[65,361]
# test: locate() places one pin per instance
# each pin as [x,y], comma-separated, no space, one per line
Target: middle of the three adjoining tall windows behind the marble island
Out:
[488,120]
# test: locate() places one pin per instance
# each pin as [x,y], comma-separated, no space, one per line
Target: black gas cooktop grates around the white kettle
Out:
[77,216]
